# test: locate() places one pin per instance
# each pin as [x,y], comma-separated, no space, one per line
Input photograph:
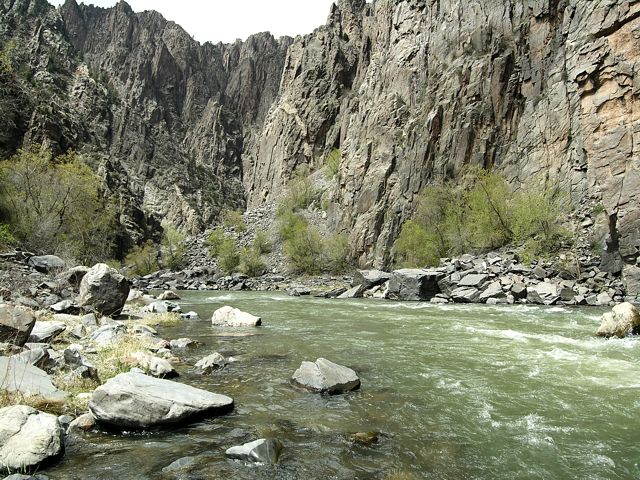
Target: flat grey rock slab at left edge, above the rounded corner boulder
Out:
[20,377]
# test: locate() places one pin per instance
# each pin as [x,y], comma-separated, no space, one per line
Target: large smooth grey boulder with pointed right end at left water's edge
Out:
[135,400]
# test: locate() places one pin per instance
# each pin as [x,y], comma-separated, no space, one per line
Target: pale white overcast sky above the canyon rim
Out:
[227,20]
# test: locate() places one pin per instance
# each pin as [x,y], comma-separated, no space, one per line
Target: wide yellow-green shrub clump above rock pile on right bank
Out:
[479,214]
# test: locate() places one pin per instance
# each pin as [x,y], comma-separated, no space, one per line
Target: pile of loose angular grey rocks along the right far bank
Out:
[493,279]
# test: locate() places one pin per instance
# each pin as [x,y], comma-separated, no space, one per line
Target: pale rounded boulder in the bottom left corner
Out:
[28,438]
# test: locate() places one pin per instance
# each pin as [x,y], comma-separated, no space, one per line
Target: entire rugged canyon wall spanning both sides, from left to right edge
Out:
[410,91]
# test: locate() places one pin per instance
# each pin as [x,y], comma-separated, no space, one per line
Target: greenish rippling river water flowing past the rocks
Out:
[456,392]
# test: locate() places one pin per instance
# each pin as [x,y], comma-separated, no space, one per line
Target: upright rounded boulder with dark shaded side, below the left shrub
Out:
[104,290]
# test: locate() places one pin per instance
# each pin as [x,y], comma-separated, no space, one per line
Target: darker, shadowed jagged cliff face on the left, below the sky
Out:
[163,117]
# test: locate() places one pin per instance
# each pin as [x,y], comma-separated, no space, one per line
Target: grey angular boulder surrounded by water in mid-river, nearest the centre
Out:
[324,376]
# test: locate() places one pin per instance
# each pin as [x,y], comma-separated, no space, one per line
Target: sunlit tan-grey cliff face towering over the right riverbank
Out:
[411,91]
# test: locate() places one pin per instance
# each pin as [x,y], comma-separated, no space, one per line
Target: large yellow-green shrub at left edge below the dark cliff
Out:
[54,205]
